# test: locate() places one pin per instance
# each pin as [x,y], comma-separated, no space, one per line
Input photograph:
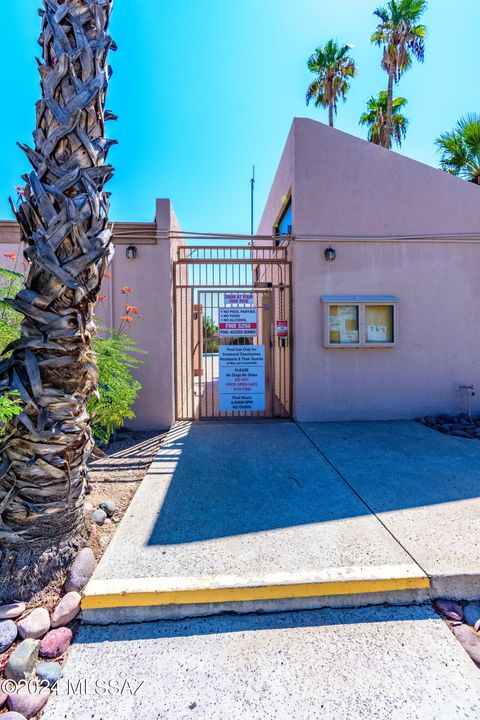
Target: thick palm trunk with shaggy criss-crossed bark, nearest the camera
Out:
[63,217]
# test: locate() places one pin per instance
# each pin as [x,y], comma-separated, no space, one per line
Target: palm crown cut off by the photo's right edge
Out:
[460,149]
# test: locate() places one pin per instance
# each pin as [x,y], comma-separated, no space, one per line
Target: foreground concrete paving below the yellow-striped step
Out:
[400,663]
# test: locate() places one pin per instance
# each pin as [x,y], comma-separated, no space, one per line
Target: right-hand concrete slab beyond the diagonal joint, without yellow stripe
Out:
[422,485]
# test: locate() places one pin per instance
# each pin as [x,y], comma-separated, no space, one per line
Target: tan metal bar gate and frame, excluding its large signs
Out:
[202,275]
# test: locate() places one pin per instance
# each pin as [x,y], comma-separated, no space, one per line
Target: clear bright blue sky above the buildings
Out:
[206,88]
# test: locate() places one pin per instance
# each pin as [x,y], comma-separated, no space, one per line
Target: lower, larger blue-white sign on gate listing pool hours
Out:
[241,377]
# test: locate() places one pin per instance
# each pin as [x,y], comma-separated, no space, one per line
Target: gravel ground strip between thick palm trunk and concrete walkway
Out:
[118,476]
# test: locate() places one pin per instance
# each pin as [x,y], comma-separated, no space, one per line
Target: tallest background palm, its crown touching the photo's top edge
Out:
[402,38]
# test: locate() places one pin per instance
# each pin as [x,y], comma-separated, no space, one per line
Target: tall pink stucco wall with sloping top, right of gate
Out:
[343,186]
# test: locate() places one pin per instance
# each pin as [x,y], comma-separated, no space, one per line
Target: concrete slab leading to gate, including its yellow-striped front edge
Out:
[245,513]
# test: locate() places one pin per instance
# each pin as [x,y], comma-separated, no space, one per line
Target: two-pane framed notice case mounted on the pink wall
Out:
[360,320]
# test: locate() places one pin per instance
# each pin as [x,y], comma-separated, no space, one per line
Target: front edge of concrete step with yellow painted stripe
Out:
[145,599]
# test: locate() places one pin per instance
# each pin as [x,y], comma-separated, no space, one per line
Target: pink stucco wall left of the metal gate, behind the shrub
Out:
[150,278]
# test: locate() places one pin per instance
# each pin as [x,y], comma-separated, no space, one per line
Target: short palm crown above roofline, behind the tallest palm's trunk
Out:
[375,118]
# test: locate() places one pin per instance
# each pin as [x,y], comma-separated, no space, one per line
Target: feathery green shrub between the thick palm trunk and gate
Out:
[116,358]
